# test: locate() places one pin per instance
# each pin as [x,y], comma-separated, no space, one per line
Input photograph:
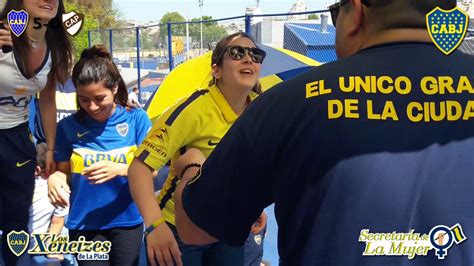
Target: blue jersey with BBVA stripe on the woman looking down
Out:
[110,204]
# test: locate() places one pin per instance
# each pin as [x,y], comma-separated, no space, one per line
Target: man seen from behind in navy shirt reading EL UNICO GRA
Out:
[374,147]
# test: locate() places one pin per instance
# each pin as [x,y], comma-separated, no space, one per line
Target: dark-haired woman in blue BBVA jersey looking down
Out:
[94,147]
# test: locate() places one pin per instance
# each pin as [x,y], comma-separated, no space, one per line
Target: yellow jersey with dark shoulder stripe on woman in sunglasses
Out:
[199,121]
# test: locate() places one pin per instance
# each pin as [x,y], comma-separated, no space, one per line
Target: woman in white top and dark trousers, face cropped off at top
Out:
[34,62]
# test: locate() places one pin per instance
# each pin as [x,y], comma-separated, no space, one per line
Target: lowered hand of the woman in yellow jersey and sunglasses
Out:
[162,247]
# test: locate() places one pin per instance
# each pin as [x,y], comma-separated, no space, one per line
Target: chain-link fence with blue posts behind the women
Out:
[146,54]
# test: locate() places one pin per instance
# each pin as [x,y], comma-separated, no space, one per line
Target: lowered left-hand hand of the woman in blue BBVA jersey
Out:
[58,189]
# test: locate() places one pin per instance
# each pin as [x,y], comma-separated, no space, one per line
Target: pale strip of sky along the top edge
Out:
[145,10]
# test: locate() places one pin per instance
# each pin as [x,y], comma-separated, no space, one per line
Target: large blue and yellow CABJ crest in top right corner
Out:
[447,28]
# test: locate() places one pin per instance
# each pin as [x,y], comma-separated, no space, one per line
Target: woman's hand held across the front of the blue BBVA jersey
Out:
[103,171]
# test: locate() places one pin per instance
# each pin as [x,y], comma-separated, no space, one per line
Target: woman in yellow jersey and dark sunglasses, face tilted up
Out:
[199,121]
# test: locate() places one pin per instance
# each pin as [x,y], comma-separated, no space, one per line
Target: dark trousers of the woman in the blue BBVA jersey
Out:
[126,243]
